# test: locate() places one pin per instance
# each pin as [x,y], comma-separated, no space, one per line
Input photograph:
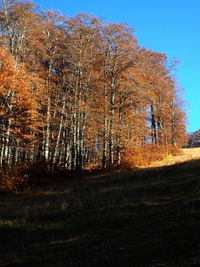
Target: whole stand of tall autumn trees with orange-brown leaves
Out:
[79,93]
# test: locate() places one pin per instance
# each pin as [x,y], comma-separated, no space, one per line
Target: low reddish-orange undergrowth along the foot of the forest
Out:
[22,176]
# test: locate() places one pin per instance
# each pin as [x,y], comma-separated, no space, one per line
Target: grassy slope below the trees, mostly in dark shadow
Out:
[142,217]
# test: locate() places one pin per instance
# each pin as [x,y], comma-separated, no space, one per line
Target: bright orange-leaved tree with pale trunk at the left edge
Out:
[18,110]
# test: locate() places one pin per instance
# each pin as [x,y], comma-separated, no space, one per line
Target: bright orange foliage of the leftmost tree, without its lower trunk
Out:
[17,102]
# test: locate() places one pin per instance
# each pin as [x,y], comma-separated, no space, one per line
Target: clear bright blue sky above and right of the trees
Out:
[167,26]
